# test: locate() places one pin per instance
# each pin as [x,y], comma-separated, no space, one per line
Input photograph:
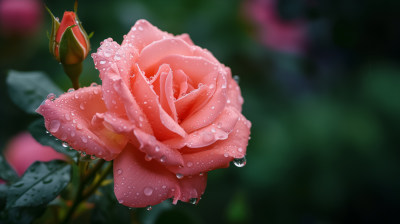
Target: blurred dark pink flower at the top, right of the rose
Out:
[275,33]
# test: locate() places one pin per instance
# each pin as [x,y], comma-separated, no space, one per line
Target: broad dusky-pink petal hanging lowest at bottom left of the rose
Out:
[139,183]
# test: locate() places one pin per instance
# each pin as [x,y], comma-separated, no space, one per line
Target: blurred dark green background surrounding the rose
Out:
[324,141]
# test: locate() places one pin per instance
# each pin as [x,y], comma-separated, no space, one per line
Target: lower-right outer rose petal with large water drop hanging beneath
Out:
[219,154]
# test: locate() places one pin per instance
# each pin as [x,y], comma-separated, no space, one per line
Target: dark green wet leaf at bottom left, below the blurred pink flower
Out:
[41,183]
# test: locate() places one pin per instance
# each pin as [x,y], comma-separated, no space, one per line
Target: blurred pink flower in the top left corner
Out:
[20,17]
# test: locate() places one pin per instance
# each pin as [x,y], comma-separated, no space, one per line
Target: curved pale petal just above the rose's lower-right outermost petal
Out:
[206,136]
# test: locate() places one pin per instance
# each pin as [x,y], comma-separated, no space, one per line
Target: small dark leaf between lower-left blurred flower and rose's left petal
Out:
[38,131]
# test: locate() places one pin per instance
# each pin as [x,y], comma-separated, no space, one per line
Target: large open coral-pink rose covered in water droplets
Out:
[167,113]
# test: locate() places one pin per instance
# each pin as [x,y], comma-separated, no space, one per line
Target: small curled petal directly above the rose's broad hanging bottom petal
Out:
[157,150]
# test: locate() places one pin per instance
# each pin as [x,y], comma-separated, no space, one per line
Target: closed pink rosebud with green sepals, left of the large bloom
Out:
[69,43]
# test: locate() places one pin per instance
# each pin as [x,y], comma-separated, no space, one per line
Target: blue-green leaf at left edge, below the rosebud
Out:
[28,89]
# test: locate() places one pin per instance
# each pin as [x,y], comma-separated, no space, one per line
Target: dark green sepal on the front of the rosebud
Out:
[70,50]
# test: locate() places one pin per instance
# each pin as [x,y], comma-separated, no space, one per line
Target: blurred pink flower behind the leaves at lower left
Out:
[23,150]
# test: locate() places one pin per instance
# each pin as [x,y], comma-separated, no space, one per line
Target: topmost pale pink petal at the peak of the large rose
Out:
[143,34]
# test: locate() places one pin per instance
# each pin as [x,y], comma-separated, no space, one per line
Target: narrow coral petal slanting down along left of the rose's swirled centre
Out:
[163,125]
